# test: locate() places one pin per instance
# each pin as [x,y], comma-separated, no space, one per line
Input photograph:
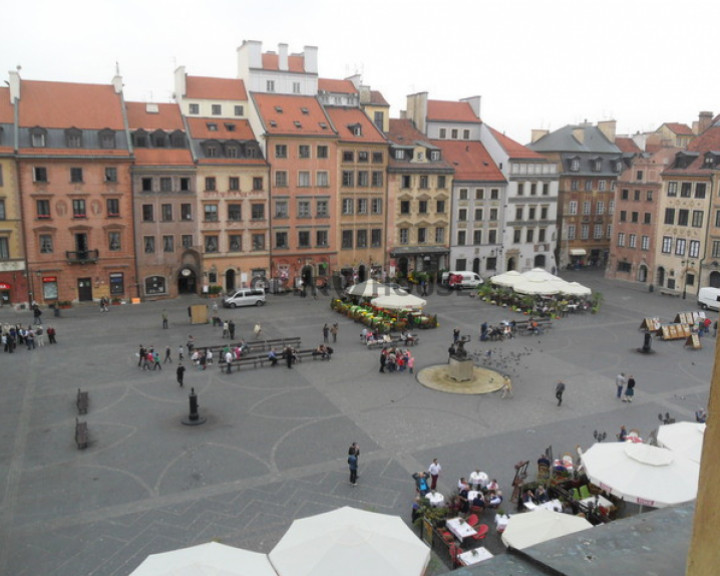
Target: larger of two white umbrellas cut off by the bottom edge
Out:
[350,541]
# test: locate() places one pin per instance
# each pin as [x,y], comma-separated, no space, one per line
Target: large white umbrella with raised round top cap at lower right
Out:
[641,473]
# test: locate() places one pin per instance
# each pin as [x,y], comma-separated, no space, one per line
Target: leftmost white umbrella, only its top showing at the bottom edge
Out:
[211,559]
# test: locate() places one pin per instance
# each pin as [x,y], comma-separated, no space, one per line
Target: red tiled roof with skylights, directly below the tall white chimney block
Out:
[280,112]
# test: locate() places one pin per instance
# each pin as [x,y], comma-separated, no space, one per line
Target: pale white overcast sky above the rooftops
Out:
[536,63]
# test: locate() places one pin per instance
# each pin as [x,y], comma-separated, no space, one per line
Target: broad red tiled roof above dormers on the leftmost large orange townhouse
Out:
[68,105]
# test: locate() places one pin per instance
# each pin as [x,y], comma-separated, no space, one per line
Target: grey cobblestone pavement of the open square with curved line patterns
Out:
[274,446]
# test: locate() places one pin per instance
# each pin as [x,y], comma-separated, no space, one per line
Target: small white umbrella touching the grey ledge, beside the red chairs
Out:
[530,528]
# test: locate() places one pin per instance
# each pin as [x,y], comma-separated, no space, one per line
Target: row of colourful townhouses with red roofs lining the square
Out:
[280,176]
